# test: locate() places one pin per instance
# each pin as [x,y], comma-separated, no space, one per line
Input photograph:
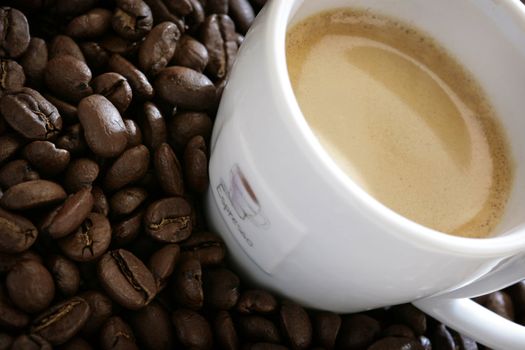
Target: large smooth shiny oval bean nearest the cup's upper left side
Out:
[185,88]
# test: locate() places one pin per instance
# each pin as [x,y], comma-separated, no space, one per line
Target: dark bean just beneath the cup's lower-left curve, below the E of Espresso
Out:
[221,288]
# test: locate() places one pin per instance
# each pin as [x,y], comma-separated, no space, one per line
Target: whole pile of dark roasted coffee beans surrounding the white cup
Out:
[106,110]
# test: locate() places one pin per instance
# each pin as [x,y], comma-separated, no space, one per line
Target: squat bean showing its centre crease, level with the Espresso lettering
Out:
[168,220]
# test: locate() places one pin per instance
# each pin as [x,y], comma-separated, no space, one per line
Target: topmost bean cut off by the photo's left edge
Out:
[14,33]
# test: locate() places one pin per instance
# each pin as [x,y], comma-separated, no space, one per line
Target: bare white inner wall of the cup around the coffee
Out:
[488,38]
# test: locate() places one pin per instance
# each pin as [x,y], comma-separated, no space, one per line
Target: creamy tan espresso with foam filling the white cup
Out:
[402,118]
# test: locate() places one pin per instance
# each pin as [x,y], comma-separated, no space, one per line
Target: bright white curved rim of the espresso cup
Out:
[280,14]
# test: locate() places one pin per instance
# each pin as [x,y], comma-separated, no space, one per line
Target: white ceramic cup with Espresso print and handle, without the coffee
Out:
[296,224]
